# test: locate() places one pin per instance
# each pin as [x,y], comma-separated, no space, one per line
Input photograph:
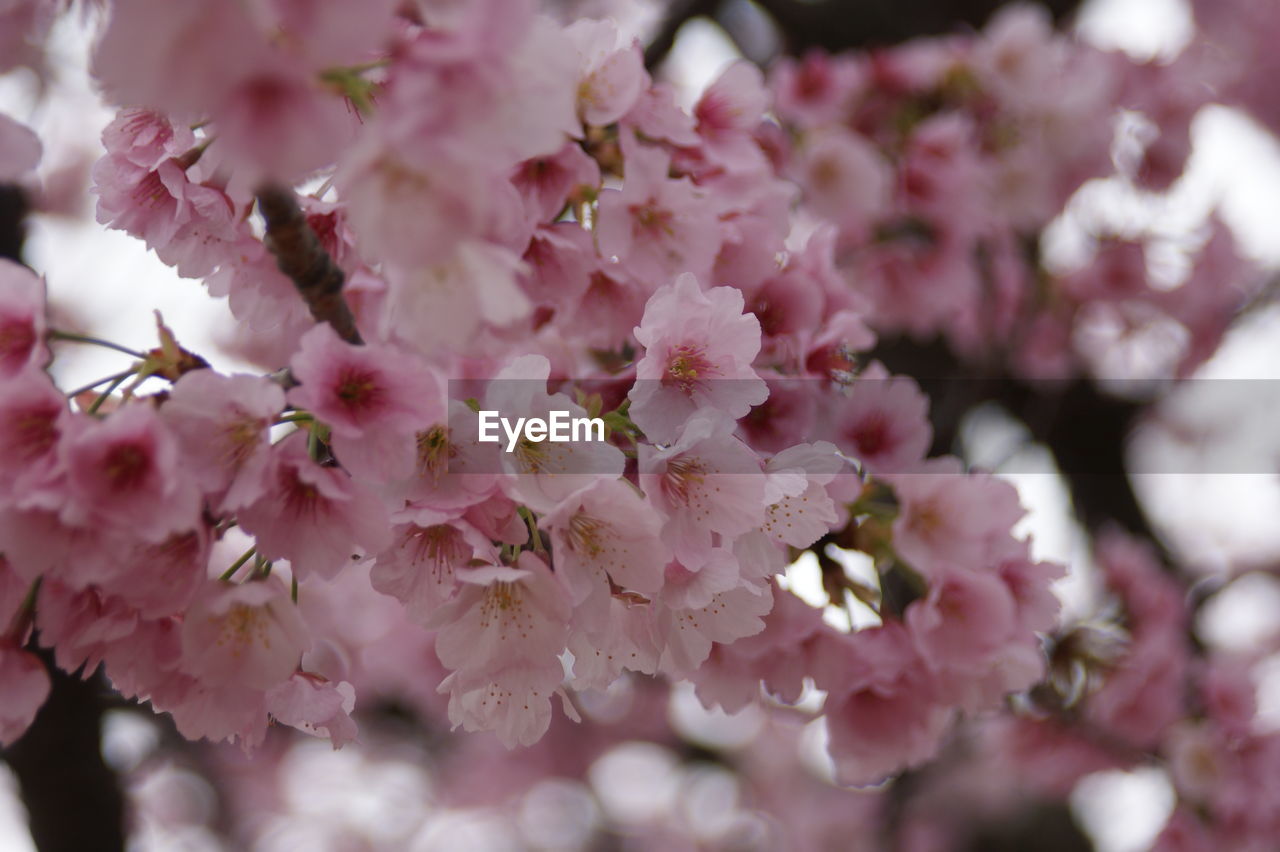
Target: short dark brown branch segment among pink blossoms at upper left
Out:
[300,255]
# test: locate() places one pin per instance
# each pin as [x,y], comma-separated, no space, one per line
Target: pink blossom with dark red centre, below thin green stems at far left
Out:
[126,473]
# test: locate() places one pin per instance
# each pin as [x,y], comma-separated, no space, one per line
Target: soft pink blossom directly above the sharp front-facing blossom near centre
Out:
[655,226]
